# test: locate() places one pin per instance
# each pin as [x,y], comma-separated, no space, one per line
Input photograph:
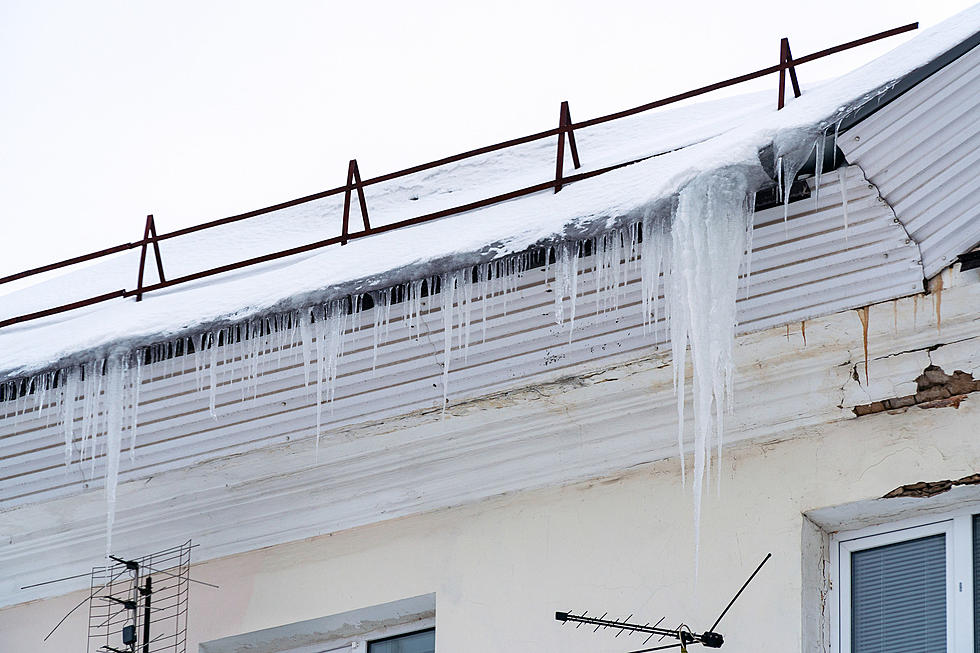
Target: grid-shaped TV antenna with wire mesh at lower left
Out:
[138,605]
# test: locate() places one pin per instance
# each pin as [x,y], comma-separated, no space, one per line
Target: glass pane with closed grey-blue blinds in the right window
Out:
[898,597]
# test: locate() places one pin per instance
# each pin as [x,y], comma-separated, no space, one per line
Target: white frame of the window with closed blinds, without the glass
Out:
[956,526]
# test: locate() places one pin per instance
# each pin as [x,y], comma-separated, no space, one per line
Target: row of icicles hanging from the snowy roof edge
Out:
[689,269]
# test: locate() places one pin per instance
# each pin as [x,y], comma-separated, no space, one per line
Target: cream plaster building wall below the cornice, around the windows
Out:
[624,544]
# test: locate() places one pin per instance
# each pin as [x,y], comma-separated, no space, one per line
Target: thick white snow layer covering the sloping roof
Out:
[694,140]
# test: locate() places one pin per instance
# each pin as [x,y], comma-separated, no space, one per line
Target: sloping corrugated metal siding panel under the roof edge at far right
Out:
[923,153]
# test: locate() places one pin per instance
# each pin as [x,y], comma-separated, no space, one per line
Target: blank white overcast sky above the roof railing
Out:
[196,110]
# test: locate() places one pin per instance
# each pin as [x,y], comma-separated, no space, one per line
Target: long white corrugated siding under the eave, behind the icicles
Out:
[802,268]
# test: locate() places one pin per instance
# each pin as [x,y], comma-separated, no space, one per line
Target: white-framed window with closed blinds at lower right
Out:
[907,587]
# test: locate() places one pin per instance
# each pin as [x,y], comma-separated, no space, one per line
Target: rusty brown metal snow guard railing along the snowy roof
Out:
[566,129]
